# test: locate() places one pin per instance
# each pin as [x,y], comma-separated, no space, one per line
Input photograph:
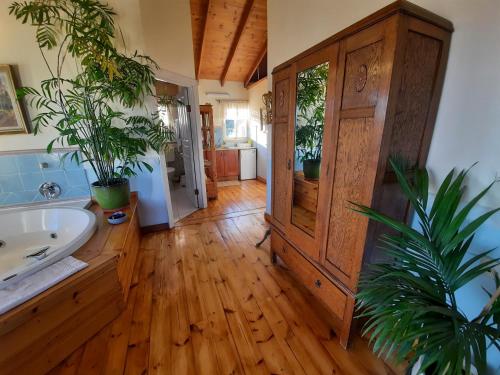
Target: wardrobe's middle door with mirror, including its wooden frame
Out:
[313,84]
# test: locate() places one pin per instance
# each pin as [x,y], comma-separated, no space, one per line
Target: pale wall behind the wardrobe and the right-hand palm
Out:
[468,123]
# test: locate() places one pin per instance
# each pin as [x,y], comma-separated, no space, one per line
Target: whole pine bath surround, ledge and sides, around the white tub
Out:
[40,333]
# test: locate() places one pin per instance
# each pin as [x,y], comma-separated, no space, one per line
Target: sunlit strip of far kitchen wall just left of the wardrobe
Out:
[258,136]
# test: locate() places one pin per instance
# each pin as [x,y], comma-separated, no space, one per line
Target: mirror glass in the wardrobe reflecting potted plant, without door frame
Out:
[309,123]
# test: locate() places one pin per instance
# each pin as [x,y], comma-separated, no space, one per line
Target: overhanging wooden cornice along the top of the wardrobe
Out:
[398,7]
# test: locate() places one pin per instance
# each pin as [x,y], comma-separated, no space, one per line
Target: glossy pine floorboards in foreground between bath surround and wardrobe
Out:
[205,300]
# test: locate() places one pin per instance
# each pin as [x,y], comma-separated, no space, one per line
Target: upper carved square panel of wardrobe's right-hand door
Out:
[362,77]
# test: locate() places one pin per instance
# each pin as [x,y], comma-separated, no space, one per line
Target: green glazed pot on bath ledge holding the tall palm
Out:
[114,196]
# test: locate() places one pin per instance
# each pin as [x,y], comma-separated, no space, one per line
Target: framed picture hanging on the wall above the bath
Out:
[11,115]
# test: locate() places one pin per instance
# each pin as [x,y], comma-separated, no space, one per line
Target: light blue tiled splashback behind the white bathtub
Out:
[22,174]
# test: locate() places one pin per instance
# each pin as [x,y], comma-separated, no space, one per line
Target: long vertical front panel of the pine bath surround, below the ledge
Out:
[84,306]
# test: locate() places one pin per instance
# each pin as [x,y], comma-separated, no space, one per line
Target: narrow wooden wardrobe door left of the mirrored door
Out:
[280,151]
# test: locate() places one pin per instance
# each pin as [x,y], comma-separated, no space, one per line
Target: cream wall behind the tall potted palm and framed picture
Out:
[159,28]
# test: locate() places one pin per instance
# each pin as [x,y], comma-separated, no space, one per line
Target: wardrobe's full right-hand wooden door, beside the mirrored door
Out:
[365,63]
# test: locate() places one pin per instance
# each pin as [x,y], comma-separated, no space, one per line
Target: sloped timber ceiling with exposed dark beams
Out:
[229,38]
